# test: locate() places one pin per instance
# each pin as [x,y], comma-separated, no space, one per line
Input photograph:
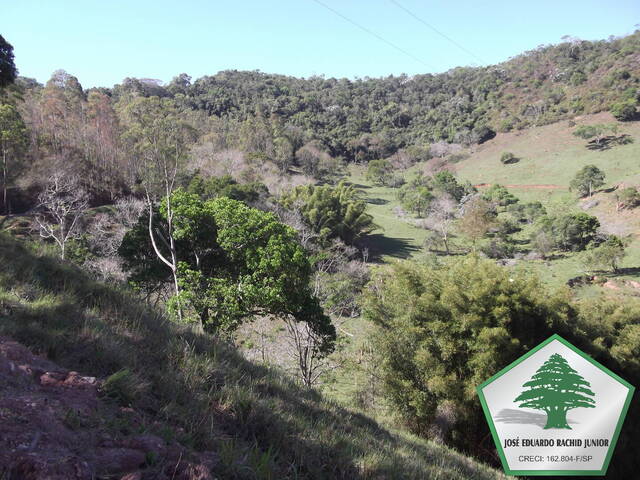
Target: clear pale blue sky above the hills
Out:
[102,42]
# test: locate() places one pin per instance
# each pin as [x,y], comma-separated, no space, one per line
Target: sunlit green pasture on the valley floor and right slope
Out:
[549,157]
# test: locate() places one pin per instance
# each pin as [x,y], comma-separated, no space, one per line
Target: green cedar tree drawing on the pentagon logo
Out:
[556,388]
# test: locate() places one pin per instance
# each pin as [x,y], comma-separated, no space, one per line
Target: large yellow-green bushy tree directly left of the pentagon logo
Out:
[441,330]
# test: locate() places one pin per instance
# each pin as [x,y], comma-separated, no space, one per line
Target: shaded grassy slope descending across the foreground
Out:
[259,423]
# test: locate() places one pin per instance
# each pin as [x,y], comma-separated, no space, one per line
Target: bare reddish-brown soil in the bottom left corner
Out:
[54,425]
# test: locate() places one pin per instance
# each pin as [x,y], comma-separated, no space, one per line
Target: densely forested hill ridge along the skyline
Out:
[372,118]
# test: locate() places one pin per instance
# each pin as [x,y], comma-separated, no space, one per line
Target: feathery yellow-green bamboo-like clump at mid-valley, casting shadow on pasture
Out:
[332,212]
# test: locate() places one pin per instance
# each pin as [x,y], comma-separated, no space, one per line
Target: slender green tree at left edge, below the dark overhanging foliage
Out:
[13,143]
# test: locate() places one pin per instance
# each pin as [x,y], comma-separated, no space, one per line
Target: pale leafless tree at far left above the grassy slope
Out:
[62,204]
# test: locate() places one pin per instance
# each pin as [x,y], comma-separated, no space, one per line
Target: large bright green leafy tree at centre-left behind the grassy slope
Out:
[234,262]
